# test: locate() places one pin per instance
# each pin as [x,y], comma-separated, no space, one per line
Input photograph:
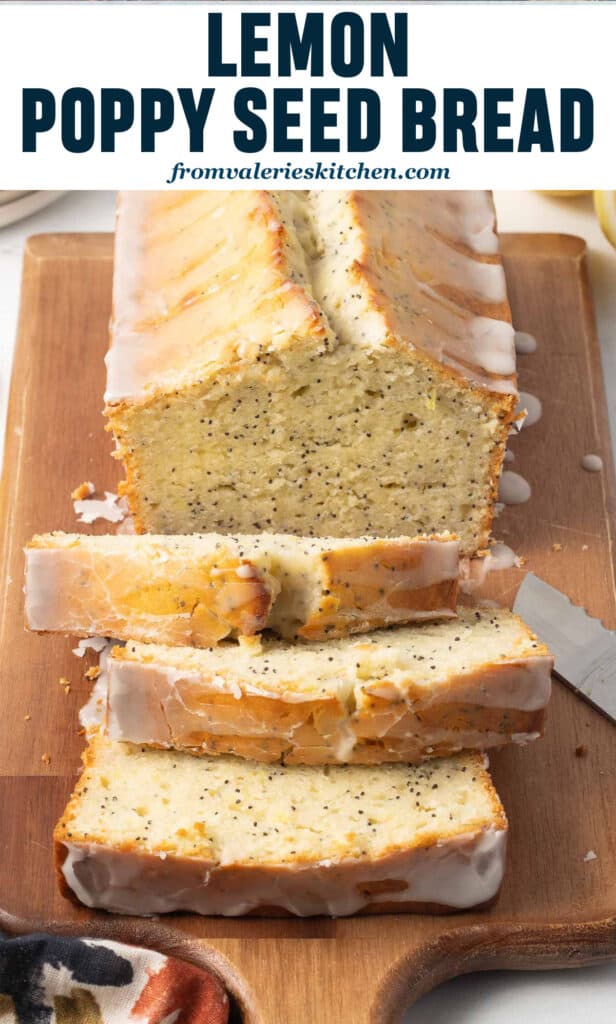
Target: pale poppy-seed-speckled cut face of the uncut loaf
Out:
[349,444]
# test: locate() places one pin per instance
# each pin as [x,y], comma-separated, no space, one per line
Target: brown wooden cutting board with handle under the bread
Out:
[555,910]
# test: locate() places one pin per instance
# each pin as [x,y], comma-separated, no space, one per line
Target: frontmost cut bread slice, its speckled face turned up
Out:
[148,832]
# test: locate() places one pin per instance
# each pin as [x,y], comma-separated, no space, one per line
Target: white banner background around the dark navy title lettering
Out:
[474,47]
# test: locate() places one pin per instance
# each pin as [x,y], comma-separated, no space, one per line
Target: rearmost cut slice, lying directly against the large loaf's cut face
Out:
[199,590]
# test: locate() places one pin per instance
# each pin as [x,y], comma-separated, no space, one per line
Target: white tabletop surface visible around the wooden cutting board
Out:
[552,998]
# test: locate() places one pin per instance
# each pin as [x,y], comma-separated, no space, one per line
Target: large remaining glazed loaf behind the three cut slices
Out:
[311,363]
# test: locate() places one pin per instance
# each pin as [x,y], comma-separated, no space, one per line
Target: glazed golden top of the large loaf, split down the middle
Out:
[442,263]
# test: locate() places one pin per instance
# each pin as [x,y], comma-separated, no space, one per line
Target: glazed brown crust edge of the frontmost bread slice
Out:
[454,875]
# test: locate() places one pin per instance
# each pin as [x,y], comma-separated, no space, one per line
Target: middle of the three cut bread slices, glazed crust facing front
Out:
[404,695]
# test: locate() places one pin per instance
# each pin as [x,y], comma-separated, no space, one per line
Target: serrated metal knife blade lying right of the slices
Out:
[585,651]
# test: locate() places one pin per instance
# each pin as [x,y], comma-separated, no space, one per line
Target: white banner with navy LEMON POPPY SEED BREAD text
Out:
[307,96]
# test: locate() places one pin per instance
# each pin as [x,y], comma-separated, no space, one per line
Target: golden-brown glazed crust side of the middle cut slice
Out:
[374,729]
